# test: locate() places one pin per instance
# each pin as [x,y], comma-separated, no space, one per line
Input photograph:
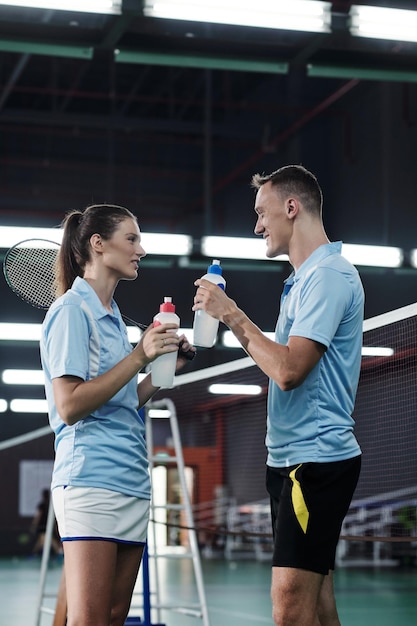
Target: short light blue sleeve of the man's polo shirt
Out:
[324,300]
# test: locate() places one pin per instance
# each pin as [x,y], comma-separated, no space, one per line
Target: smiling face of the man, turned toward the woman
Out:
[273,222]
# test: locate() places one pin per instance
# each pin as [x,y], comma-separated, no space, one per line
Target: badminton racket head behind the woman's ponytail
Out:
[29,270]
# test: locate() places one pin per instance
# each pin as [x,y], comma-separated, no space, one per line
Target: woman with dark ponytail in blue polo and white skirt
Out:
[100,484]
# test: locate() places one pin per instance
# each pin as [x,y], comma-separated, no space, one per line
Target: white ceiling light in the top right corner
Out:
[383,23]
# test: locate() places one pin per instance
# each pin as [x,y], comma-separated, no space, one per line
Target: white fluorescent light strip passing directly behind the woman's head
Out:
[154,243]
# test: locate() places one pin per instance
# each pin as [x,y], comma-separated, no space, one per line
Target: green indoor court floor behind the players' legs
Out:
[237,593]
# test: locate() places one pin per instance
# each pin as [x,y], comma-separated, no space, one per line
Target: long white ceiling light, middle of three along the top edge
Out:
[300,15]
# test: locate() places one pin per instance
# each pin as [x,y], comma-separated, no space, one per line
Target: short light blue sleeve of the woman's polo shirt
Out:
[67,342]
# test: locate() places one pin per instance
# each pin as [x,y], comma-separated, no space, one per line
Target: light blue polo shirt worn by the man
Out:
[323,301]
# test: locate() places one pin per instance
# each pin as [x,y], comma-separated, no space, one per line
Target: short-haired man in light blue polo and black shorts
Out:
[313,459]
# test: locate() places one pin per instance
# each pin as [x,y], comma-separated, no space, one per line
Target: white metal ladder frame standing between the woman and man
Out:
[199,610]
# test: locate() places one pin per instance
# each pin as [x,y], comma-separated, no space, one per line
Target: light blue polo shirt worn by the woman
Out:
[106,449]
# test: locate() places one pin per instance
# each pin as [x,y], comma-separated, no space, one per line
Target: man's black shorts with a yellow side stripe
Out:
[308,504]
